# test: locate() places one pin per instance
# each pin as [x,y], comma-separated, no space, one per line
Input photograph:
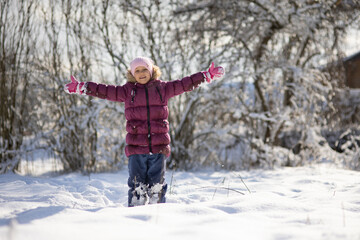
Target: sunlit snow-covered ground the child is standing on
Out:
[313,202]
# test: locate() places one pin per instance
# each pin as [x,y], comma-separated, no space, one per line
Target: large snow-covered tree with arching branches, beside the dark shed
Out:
[279,48]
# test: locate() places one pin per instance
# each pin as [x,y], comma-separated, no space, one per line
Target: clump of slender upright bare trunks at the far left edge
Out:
[17,52]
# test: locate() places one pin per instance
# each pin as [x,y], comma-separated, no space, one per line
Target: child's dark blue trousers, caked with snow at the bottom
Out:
[146,179]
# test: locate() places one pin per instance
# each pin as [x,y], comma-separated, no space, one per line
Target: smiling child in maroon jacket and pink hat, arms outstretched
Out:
[146,111]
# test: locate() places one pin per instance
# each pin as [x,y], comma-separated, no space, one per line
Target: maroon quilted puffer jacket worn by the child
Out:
[146,110]
